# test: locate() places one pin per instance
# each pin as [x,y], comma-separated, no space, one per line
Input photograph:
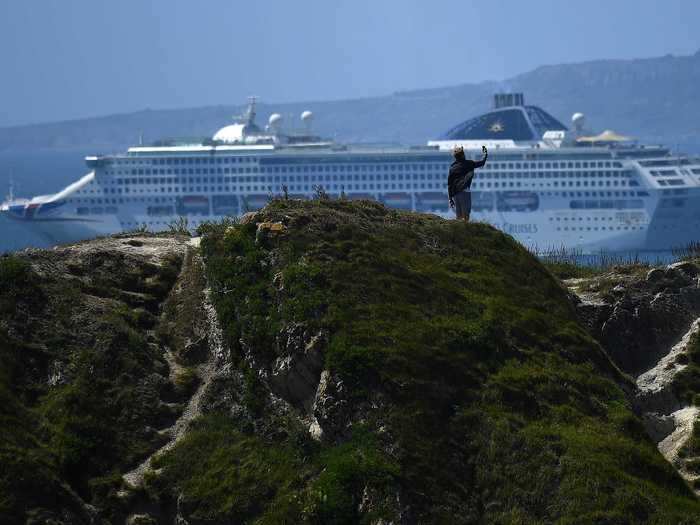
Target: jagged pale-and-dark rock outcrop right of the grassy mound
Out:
[646,322]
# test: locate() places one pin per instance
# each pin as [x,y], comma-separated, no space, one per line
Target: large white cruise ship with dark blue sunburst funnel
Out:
[545,184]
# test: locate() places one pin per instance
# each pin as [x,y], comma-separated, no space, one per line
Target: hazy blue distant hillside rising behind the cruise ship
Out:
[653,99]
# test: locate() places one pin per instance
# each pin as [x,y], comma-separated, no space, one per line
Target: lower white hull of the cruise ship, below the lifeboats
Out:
[541,230]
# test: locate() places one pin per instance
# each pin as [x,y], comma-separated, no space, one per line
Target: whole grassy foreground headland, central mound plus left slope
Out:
[376,365]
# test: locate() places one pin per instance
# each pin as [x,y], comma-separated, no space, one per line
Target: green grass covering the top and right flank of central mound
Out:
[499,405]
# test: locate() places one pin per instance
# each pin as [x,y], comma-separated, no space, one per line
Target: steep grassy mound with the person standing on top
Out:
[399,367]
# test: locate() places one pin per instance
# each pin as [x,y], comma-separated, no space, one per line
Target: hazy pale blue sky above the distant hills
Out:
[63,59]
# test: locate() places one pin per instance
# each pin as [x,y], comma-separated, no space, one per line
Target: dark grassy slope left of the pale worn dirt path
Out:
[94,423]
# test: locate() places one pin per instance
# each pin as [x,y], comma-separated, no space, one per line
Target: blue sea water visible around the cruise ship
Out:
[39,172]
